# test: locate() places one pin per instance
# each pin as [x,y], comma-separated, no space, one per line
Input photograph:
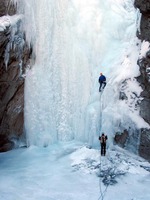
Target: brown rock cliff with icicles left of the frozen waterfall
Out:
[14,57]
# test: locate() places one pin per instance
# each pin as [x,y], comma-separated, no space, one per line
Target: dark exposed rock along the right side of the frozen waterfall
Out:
[140,139]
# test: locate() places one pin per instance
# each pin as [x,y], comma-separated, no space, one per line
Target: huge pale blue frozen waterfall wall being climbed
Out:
[73,41]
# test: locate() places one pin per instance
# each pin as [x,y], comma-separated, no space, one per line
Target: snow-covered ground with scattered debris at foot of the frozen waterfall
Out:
[73,172]
